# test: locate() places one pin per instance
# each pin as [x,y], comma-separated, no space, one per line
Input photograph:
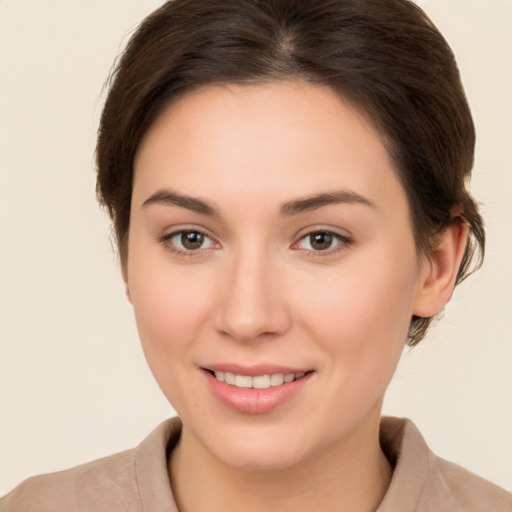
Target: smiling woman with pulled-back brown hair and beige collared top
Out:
[287,185]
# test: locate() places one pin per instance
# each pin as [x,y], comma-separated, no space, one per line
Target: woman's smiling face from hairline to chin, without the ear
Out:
[272,269]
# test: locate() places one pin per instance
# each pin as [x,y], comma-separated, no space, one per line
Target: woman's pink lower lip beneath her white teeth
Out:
[255,401]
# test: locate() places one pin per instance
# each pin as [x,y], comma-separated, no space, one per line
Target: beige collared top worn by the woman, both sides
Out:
[137,480]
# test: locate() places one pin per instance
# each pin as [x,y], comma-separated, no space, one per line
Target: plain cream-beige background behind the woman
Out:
[73,382]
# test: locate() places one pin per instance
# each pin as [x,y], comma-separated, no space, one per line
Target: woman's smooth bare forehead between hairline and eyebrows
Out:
[269,140]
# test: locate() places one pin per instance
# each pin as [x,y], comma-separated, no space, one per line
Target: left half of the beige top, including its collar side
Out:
[130,481]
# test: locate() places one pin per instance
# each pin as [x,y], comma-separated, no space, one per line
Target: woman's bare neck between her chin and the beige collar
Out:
[352,475]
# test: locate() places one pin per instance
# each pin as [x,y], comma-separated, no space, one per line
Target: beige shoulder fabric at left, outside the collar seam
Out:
[103,484]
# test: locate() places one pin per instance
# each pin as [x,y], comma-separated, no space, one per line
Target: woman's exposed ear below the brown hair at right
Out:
[439,270]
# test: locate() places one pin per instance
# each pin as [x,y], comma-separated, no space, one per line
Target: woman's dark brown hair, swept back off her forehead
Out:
[384,56]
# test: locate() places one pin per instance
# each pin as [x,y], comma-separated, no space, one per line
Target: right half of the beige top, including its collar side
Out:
[426,483]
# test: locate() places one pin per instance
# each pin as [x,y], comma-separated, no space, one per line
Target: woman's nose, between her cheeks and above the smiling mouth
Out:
[252,300]
